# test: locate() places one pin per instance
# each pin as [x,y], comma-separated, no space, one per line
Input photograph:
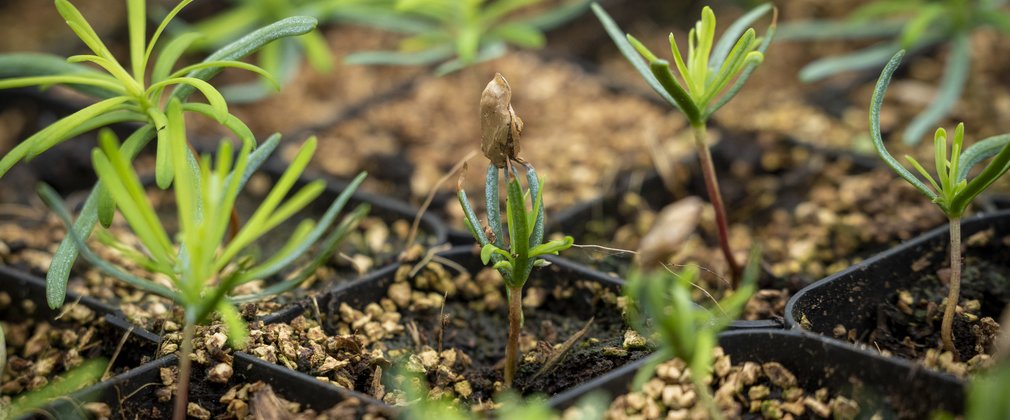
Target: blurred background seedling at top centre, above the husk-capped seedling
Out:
[459,34]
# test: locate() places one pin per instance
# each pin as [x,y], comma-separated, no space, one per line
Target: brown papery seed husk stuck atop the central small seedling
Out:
[500,127]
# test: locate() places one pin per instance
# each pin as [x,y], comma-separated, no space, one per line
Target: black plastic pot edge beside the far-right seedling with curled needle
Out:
[862,285]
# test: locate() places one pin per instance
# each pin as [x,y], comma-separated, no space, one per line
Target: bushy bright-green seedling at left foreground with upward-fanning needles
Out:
[205,267]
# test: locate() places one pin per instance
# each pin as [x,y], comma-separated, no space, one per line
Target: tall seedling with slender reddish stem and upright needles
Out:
[711,77]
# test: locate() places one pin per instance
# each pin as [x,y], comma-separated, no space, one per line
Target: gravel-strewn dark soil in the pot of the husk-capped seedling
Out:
[453,330]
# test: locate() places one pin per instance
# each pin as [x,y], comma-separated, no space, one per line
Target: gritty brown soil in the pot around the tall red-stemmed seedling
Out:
[815,214]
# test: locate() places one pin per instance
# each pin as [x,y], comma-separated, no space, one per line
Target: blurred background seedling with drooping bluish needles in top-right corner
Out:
[908,25]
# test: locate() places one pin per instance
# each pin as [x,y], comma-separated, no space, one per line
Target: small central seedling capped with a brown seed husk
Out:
[516,259]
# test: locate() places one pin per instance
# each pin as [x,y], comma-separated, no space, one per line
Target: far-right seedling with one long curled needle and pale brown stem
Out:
[952,190]
